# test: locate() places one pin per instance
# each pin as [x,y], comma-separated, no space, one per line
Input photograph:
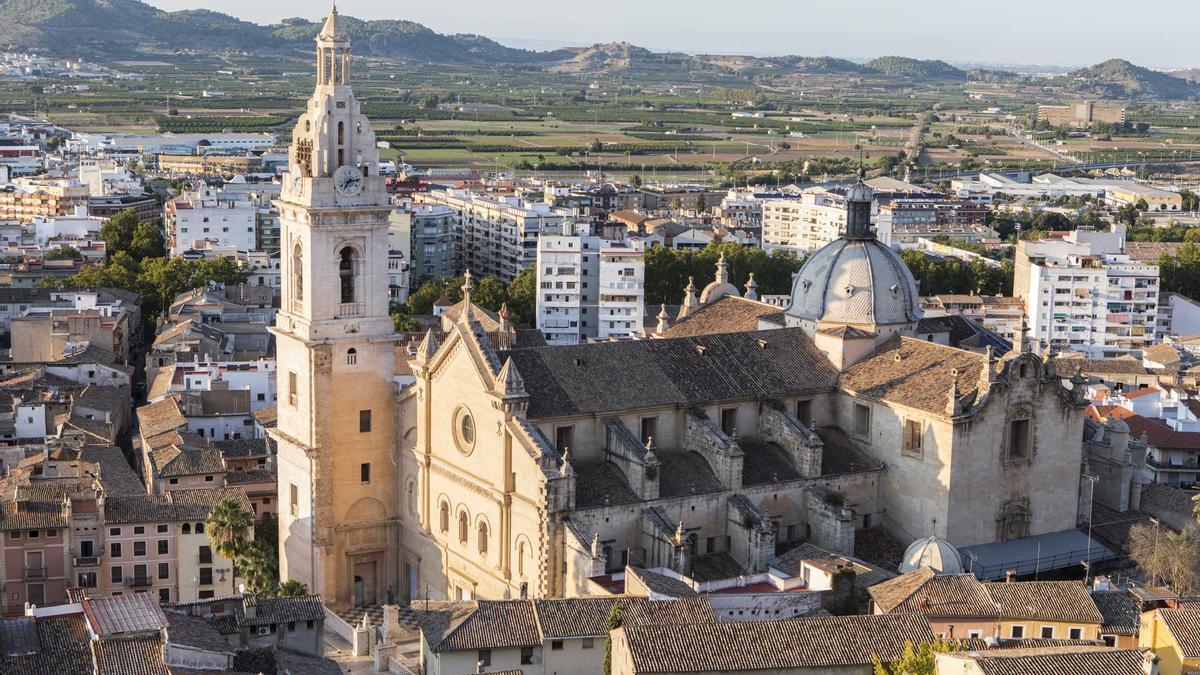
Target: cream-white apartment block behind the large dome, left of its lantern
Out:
[806,224]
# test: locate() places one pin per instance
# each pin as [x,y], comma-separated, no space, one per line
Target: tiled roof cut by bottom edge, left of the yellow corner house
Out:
[1058,661]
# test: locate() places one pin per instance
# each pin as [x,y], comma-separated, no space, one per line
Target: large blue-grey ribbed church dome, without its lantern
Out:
[855,282]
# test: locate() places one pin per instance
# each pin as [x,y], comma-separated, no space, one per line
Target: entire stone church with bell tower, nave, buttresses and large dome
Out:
[482,468]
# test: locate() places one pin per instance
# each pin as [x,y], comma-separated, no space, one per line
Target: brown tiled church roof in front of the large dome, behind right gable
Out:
[915,374]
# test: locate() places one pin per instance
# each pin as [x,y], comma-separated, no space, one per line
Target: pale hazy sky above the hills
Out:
[1151,33]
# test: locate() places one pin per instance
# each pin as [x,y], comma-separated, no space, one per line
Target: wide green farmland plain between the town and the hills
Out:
[701,126]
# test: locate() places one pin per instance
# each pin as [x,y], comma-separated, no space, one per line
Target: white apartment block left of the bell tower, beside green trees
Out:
[208,219]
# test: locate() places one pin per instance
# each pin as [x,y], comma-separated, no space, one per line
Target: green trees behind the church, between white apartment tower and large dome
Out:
[668,270]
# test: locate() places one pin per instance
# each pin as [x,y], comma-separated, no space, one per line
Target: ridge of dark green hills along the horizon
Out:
[123,28]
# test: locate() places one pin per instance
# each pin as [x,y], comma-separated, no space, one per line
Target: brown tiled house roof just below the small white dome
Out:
[933,595]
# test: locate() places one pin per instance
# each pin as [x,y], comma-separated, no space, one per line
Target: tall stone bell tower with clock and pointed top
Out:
[335,349]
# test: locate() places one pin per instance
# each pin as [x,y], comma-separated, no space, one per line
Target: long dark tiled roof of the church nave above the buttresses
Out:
[620,377]
